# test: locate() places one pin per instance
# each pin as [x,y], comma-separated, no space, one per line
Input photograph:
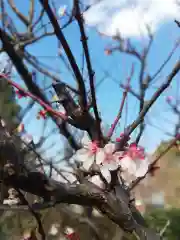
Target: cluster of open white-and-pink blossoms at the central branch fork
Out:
[130,163]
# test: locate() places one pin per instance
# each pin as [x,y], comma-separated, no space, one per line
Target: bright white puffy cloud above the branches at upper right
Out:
[130,17]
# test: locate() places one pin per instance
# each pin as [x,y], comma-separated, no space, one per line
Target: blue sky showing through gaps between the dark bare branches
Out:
[118,66]
